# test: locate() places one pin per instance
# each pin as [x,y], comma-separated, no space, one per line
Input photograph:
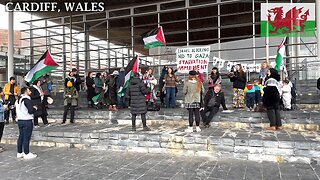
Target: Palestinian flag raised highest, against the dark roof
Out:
[154,38]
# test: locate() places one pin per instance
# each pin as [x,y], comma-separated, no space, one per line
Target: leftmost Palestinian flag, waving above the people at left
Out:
[44,65]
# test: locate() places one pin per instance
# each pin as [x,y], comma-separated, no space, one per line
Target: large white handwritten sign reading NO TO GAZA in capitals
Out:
[191,58]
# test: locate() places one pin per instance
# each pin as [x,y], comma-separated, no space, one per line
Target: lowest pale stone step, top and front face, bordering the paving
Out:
[215,142]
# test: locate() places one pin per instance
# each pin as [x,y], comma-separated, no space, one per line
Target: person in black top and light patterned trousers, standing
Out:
[239,83]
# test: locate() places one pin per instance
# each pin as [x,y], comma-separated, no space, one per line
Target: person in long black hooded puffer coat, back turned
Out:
[137,92]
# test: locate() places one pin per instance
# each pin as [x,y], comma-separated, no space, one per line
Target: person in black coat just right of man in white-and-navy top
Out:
[37,99]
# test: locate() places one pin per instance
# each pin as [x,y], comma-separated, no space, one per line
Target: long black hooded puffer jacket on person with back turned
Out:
[137,92]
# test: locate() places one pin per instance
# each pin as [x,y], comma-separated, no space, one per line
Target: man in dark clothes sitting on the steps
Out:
[212,101]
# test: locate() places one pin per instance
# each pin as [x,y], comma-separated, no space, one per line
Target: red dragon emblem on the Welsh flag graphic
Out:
[292,22]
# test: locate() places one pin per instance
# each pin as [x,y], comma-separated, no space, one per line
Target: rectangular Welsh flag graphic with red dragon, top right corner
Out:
[287,19]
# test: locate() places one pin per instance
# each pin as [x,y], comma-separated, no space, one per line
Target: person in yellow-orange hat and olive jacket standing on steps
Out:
[70,97]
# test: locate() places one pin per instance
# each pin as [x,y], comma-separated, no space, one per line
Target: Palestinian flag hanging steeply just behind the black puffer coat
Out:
[131,68]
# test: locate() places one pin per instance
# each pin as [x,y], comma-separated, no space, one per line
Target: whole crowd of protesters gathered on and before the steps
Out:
[141,95]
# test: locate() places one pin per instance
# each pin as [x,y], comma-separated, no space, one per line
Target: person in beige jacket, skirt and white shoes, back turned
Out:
[192,90]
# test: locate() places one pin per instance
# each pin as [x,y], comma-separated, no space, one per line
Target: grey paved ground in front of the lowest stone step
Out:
[60,163]
